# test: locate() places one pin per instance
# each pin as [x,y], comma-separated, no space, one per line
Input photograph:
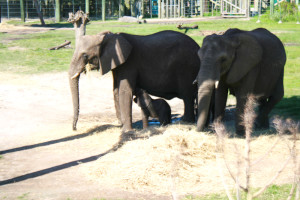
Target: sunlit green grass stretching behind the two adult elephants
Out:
[33,56]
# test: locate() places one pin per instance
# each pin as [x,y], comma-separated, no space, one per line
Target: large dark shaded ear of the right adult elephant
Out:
[248,54]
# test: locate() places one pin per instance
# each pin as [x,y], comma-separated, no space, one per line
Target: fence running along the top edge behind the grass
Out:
[147,8]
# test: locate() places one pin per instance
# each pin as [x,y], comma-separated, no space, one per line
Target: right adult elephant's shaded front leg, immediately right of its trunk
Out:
[221,94]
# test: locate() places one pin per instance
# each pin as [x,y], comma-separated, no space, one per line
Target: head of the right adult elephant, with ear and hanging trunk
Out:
[226,59]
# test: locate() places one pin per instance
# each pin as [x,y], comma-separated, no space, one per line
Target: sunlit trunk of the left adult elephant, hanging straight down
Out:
[74,85]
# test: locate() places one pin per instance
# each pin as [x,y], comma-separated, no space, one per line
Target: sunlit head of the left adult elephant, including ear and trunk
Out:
[103,52]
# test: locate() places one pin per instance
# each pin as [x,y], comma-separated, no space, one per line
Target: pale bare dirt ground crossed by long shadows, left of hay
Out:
[36,115]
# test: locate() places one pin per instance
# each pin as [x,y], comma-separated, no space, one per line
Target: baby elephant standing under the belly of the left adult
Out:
[155,108]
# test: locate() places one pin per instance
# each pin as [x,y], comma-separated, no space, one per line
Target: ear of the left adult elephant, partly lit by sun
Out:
[114,51]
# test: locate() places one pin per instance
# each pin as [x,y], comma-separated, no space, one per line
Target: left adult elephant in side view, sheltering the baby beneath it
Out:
[164,64]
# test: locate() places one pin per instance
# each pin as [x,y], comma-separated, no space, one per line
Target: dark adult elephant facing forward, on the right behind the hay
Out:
[242,62]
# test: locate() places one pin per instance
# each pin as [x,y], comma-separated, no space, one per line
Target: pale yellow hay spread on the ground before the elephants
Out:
[177,158]
